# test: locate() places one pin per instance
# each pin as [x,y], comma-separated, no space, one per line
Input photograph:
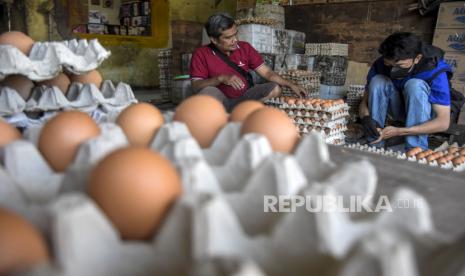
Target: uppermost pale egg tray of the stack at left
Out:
[47,59]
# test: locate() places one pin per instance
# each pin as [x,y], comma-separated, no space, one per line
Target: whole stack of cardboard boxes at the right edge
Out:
[450,36]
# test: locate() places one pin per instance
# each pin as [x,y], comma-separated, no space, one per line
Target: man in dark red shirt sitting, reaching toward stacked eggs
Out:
[212,75]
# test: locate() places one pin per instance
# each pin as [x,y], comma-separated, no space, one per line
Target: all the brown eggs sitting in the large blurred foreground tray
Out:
[133,185]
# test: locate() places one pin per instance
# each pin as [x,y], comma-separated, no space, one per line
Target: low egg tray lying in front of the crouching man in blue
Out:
[449,165]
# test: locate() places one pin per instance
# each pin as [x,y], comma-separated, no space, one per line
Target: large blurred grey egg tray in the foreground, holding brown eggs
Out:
[220,215]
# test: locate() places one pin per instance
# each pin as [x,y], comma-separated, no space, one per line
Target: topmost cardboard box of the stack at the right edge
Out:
[451,15]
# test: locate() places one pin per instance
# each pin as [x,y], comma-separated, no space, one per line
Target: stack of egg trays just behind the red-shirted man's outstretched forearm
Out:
[309,80]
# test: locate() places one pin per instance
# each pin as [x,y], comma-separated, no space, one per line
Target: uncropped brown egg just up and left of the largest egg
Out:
[61,137]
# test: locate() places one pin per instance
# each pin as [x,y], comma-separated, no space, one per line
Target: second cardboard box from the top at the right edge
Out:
[450,40]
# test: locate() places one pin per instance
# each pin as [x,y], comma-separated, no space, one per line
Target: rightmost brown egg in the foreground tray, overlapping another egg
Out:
[275,126]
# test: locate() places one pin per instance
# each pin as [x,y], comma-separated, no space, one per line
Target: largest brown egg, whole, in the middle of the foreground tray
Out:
[135,188]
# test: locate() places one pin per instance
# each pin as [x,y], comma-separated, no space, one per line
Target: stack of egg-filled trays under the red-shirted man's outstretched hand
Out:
[328,117]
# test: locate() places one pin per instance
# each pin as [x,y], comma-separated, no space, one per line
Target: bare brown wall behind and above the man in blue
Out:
[363,25]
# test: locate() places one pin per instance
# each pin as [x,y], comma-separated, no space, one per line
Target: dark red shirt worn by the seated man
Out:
[205,64]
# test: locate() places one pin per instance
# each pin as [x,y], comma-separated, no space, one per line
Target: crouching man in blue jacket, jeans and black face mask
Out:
[410,83]
